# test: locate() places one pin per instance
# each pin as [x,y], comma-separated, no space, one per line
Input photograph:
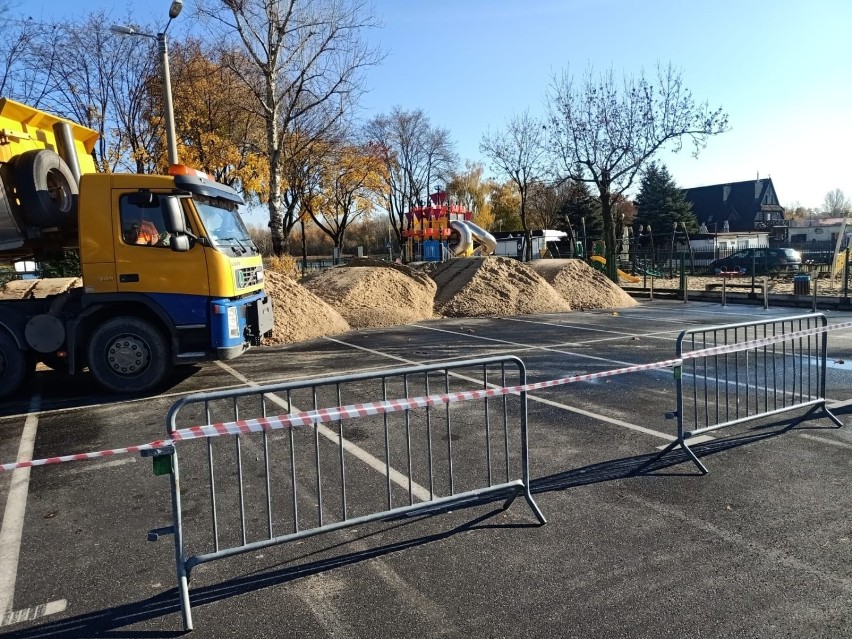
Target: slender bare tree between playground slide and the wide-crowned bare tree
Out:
[518,152]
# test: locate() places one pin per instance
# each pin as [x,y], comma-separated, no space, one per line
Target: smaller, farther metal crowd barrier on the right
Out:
[722,389]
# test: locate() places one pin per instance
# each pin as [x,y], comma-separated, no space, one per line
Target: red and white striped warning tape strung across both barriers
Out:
[323,415]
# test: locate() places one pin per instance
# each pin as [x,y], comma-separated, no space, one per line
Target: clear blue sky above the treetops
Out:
[780,69]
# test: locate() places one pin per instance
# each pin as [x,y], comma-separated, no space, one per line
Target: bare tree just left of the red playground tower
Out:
[416,156]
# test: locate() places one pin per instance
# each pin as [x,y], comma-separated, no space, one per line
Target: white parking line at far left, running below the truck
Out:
[12,528]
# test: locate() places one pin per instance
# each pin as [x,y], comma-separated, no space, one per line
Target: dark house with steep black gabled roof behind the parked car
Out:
[739,207]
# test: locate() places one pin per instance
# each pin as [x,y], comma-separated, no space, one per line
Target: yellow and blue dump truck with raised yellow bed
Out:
[170,274]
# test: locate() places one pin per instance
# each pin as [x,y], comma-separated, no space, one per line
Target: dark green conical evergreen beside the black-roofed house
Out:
[661,203]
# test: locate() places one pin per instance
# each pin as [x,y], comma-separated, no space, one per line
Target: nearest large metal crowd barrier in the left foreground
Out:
[286,484]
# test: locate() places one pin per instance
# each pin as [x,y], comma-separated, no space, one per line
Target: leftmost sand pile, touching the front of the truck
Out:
[299,314]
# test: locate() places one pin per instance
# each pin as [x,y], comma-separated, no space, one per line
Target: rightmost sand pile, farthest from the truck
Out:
[581,286]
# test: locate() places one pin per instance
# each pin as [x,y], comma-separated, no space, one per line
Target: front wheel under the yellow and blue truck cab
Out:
[128,355]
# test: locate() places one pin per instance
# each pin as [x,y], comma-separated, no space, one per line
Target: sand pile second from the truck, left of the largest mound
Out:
[370,293]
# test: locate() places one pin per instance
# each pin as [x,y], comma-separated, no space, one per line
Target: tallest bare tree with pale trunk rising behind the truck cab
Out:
[309,56]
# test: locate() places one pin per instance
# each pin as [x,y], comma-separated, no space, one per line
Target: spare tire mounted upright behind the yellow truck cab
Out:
[47,190]
